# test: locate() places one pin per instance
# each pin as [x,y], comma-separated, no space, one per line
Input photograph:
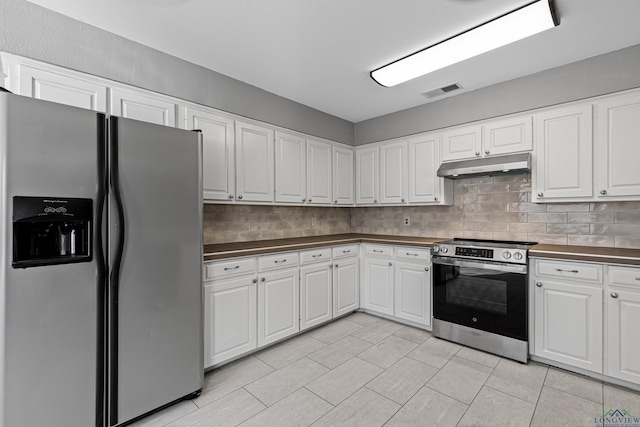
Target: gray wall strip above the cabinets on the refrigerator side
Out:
[34,32]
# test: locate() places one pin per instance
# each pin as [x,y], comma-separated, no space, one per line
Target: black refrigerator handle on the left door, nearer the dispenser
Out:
[101,264]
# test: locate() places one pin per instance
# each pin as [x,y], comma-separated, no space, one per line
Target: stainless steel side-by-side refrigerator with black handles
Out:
[100,266]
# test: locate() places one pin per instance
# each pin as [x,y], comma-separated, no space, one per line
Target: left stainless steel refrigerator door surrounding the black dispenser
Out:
[49,323]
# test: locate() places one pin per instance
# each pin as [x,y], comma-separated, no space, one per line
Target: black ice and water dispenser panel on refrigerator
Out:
[50,230]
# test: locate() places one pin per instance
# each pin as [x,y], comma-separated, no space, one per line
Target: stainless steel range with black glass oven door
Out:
[480,295]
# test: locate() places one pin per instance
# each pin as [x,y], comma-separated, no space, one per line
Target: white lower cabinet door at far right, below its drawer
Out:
[623,345]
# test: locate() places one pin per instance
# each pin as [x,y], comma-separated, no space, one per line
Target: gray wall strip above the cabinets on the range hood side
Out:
[611,72]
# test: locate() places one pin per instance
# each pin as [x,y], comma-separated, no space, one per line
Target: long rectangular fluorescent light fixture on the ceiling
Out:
[516,25]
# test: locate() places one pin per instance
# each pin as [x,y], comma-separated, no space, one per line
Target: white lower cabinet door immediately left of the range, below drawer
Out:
[412,286]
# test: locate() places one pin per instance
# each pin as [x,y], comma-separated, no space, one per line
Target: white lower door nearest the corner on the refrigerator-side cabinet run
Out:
[346,286]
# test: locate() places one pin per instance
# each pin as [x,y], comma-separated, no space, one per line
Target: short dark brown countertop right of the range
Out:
[587,253]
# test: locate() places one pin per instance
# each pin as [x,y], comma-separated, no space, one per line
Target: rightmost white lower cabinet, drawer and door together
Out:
[623,317]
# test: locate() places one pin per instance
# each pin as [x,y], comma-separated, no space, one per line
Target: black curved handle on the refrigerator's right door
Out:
[114,278]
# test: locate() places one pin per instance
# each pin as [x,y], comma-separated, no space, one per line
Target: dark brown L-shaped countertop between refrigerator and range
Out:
[228,250]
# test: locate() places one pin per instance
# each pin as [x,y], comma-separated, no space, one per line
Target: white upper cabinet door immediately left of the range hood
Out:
[424,160]
